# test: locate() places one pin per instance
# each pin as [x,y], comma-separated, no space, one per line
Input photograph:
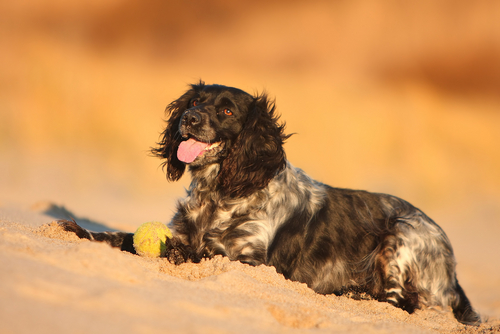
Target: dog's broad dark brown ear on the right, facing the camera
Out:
[257,154]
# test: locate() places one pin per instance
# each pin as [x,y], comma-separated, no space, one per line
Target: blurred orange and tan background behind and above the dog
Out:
[396,97]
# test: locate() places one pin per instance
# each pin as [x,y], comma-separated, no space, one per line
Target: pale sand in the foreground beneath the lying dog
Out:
[53,282]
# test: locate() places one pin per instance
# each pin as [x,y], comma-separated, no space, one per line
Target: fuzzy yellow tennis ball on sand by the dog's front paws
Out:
[150,238]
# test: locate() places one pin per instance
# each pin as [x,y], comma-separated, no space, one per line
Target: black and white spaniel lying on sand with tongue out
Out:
[247,202]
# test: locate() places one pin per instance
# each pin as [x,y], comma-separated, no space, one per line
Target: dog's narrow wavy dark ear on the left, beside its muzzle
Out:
[170,137]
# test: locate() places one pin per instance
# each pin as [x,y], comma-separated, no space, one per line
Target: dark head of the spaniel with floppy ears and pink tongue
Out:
[214,124]
